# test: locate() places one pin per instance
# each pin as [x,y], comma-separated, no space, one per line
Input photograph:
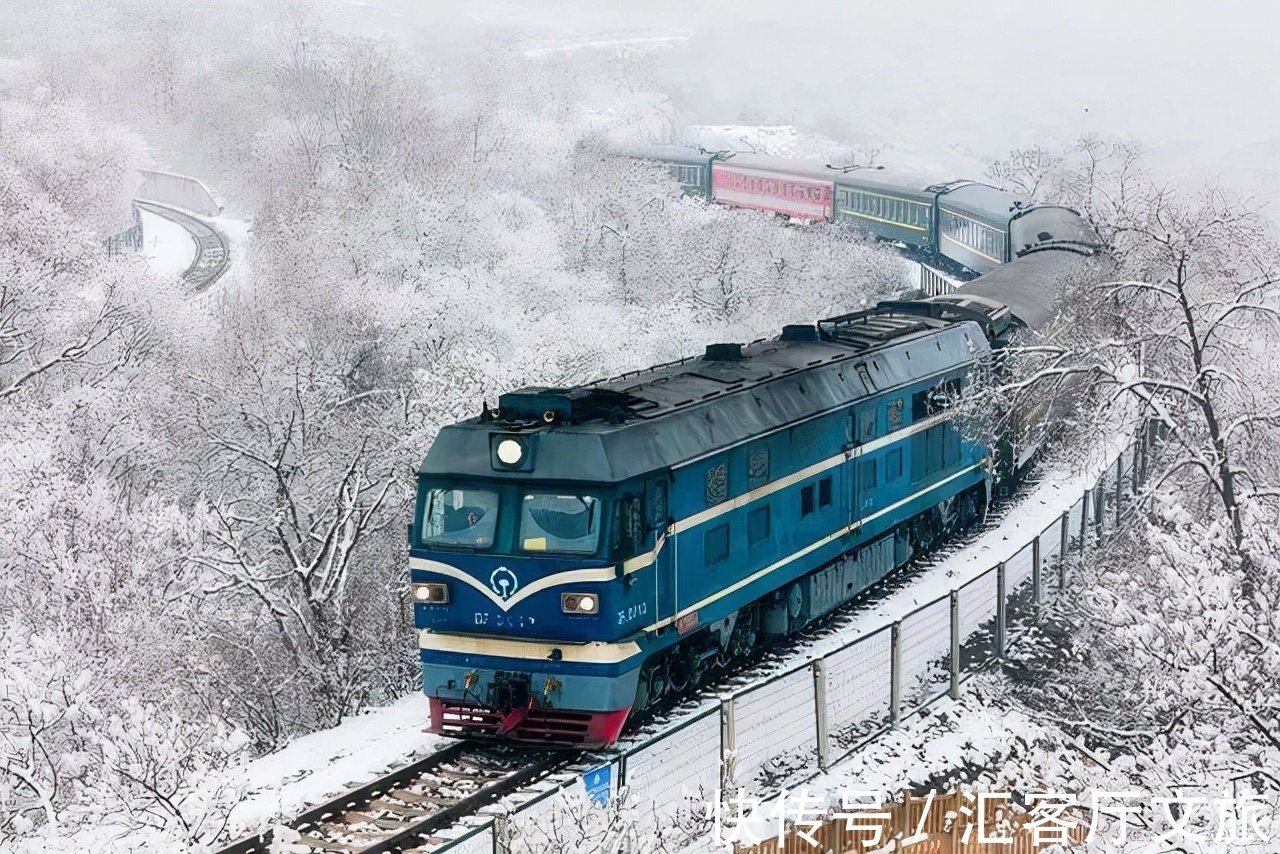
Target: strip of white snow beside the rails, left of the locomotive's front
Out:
[327,764]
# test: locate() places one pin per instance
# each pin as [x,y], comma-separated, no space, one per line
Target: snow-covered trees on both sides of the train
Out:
[203,501]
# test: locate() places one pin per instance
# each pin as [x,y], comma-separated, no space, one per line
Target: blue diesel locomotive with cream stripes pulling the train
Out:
[579,554]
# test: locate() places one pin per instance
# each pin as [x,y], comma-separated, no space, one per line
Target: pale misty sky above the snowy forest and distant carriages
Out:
[1190,79]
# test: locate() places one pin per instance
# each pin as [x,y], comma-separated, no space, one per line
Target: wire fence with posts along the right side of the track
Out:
[821,711]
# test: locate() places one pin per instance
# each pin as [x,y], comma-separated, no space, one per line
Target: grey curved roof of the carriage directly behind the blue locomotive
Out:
[1031,285]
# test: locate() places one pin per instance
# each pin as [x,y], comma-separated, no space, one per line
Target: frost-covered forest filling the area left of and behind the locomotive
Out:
[204,499]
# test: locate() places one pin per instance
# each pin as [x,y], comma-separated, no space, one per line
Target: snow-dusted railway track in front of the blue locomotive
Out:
[404,810]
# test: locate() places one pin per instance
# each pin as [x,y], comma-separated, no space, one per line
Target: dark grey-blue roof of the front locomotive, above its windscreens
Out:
[664,417]
